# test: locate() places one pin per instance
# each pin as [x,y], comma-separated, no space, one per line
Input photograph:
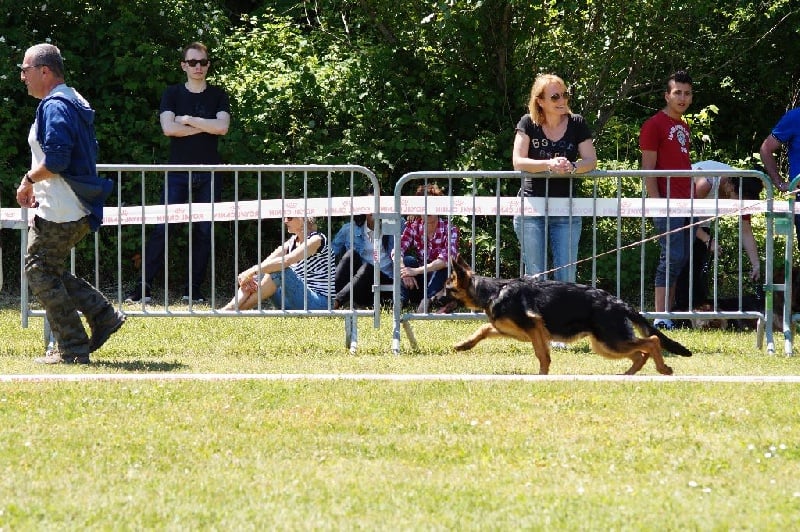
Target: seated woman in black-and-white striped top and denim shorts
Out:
[300,269]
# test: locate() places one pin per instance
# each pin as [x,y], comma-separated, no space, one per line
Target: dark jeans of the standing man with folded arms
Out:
[176,190]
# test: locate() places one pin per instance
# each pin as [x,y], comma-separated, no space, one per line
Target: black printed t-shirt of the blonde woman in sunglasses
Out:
[543,148]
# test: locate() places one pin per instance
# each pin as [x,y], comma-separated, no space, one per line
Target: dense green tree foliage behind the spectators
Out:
[402,85]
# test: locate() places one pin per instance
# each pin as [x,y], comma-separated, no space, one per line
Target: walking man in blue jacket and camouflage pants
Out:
[68,195]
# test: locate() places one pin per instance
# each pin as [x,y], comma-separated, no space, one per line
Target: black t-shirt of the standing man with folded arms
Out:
[200,148]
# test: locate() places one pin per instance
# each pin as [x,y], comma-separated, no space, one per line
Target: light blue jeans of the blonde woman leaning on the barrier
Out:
[564,233]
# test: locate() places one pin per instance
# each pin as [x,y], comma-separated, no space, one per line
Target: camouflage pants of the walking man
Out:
[62,294]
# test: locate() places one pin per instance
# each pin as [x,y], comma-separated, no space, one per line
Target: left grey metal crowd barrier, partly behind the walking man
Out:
[261,194]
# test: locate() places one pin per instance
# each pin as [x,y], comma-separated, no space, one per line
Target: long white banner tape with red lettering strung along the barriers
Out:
[416,205]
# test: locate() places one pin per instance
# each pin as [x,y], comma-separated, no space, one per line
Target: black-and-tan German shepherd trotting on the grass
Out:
[540,311]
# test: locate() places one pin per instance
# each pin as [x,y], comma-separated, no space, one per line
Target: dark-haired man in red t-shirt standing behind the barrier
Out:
[665,141]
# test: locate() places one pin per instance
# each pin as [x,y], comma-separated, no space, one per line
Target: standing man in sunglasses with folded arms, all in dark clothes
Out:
[193,115]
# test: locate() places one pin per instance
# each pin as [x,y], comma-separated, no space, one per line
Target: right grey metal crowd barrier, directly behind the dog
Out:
[484,202]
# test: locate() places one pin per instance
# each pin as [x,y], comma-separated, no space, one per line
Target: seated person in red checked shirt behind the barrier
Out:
[433,242]
